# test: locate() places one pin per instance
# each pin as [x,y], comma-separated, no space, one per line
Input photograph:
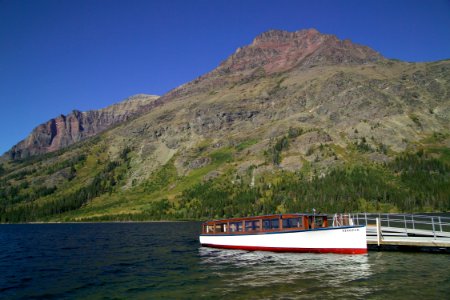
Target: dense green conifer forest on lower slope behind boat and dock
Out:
[411,183]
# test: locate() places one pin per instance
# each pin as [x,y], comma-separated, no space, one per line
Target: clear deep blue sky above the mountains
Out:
[59,55]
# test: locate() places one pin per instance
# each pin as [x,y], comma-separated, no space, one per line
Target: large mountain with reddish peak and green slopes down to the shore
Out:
[295,120]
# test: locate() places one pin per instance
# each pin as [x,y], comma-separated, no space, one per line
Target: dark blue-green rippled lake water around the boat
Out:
[165,261]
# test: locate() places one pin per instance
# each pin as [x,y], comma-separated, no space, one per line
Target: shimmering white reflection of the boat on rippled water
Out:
[287,275]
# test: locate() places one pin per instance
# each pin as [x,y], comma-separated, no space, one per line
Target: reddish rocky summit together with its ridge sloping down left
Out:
[277,51]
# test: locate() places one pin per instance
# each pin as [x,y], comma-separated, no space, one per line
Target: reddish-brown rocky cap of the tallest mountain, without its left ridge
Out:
[278,51]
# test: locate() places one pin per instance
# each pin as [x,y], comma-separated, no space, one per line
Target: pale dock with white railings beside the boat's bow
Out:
[402,232]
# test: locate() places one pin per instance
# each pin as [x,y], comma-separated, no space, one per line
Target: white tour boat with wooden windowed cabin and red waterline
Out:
[286,233]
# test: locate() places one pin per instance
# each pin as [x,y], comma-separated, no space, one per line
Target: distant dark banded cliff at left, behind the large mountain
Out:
[65,130]
